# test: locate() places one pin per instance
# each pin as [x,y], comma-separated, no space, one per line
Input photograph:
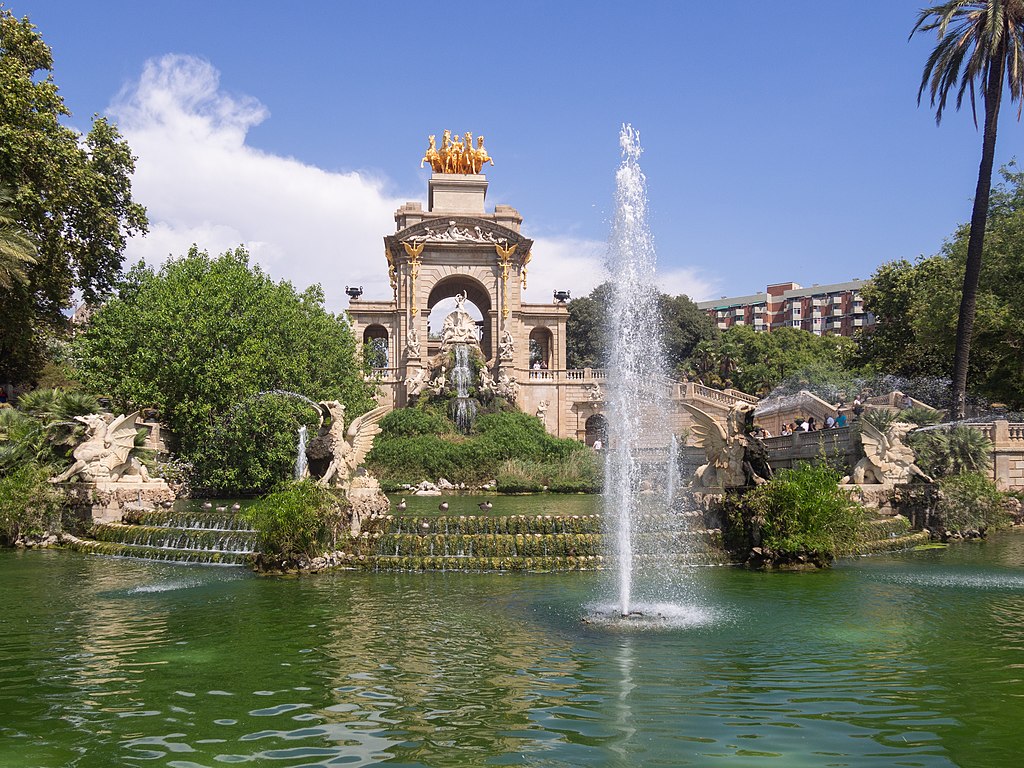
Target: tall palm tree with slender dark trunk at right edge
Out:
[980,41]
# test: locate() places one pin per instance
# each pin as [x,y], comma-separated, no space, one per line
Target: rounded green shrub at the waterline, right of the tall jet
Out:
[800,515]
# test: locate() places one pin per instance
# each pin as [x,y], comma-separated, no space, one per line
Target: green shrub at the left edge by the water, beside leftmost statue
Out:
[29,504]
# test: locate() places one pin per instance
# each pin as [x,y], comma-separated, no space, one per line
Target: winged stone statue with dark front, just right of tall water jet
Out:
[727,449]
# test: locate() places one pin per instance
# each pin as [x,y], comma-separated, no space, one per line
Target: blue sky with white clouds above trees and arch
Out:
[779,146]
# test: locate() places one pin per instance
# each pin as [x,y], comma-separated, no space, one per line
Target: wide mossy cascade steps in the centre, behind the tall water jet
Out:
[506,543]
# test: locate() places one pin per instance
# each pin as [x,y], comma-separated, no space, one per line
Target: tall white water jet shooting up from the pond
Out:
[638,417]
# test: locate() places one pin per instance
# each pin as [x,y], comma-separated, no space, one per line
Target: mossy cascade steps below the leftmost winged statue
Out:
[217,539]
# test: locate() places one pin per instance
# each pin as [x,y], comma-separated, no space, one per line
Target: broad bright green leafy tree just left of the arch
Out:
[200,339]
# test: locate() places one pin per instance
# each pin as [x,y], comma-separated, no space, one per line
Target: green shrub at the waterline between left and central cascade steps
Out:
[301,520]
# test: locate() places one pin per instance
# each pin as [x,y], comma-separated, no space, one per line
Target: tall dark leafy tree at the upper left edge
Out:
[70,194]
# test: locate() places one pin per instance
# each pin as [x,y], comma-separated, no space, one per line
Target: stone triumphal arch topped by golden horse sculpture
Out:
[454,249]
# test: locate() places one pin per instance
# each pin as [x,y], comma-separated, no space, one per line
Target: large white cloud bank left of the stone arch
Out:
[201,184]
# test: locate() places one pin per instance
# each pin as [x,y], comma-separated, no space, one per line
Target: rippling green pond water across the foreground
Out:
[911,660]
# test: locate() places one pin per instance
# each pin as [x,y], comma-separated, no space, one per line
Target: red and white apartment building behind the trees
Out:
[836,309]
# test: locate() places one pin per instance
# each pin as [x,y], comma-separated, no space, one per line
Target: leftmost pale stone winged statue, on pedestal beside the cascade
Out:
[106,453]
